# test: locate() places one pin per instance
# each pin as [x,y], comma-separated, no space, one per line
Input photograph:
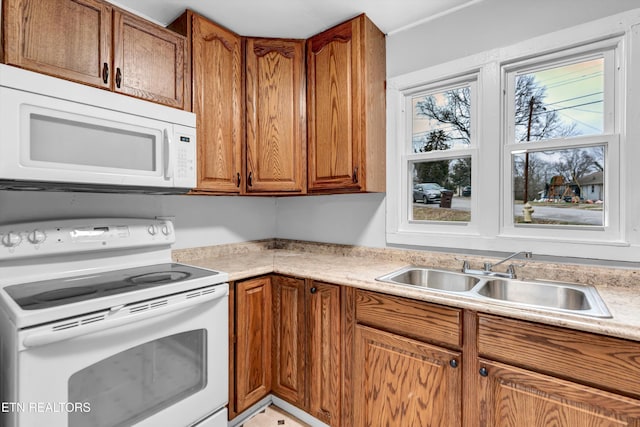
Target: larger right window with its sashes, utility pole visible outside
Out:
[561,135]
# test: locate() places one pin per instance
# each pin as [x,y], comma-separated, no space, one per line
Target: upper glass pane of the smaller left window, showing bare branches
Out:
[441,121]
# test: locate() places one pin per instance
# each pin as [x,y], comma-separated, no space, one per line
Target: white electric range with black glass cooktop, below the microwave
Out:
[98,327]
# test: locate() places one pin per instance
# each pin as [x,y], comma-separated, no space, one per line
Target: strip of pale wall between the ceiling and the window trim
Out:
[489,24]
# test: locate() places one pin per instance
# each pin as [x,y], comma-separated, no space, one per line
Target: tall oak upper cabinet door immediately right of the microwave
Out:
[217,102]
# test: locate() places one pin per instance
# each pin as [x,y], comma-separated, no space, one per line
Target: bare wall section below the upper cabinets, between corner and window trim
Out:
[357,219]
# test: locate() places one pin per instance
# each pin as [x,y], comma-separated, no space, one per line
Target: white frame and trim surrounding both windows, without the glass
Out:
[492,228]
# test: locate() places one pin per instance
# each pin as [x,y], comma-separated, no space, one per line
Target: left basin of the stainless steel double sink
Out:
[432,279]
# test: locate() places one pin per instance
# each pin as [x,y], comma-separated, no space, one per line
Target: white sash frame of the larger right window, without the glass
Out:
[610,50]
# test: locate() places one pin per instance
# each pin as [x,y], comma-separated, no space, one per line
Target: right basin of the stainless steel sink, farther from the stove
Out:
[550,295]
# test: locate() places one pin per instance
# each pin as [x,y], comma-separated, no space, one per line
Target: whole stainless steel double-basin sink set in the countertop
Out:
[555,296]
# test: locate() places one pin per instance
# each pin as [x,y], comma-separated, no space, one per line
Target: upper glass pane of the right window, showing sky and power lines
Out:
[560,102]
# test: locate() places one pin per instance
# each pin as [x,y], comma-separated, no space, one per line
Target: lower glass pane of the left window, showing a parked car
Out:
[441,190]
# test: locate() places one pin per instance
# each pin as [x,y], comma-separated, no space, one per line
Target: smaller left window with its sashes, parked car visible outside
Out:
[439,154]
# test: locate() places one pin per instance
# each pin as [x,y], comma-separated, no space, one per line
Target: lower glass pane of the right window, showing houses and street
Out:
[564,187]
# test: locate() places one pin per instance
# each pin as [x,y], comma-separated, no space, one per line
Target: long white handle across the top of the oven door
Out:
[118,318]
